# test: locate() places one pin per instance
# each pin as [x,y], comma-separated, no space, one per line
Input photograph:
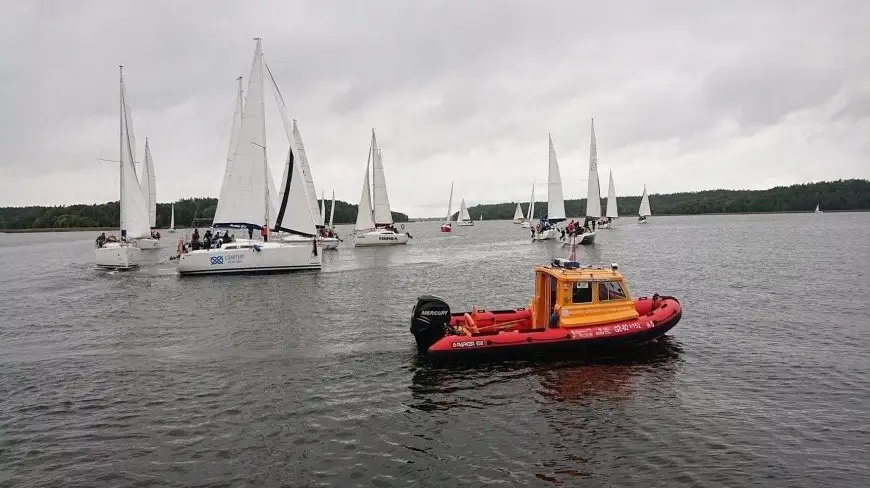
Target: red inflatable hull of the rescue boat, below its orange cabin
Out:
[654,321]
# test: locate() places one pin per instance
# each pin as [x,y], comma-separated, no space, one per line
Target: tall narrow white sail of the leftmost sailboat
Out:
[134,206]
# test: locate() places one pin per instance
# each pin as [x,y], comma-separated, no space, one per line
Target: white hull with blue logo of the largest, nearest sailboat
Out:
[247,256]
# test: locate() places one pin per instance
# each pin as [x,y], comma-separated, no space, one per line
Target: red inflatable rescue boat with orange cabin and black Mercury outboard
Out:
[574,308]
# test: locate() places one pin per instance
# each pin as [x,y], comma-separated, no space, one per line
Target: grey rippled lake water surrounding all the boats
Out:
[311,379]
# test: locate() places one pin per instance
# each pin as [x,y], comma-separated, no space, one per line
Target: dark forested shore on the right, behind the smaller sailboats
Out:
[830,195]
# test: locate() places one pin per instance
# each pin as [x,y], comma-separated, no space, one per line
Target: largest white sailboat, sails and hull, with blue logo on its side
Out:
[248,199]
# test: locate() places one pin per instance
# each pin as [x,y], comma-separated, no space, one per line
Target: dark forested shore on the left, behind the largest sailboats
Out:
[108,215]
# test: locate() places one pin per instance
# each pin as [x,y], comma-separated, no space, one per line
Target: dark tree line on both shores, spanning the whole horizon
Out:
[853,194]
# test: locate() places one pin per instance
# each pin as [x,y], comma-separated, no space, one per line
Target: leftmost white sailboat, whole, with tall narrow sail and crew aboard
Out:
[120,253]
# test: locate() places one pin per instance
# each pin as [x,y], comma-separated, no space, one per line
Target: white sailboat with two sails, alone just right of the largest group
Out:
[374,220]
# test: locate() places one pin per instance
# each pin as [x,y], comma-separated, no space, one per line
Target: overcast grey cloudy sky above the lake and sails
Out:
[686,95]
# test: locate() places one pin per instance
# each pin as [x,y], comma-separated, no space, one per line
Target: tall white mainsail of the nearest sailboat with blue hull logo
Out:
[249,198]
